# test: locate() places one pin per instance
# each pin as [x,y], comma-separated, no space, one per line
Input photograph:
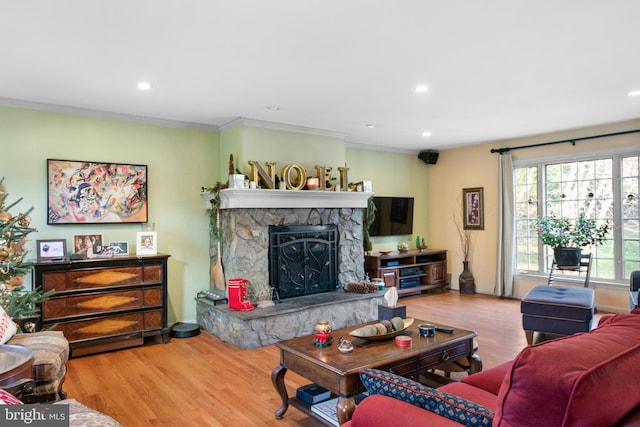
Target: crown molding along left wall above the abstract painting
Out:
[8,102]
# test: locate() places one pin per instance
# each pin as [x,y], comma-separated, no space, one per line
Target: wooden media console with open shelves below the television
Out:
[410,272]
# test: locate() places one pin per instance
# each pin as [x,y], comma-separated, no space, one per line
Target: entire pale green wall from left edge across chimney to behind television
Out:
[180,162]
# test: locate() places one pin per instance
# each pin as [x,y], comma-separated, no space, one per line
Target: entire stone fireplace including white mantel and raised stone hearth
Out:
[246,218]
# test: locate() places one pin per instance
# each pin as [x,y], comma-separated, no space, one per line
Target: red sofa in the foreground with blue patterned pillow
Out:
[589,379]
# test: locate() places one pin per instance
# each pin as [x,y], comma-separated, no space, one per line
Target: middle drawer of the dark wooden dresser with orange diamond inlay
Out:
[96,303]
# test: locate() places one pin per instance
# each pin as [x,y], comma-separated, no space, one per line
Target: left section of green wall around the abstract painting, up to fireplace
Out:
[180,161]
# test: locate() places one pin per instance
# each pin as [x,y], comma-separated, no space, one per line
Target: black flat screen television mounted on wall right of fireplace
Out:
[394,216]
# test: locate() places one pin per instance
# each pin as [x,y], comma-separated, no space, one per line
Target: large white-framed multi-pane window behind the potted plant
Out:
[604,188]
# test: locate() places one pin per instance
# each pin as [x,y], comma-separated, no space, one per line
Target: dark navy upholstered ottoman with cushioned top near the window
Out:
[557,310]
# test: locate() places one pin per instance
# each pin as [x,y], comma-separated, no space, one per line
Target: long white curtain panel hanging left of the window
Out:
[506,237]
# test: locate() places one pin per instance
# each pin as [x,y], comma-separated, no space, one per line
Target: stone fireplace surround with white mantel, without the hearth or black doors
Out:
[246,216]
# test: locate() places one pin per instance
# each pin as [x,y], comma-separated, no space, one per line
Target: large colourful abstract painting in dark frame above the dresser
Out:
[82,192]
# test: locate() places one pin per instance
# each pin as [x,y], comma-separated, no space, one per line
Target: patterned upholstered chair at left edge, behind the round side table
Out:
[50,354]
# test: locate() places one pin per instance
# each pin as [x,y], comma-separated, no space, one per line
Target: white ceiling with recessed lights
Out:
[496,69]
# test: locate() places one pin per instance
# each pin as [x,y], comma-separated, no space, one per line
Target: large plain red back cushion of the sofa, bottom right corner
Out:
[559,382]
